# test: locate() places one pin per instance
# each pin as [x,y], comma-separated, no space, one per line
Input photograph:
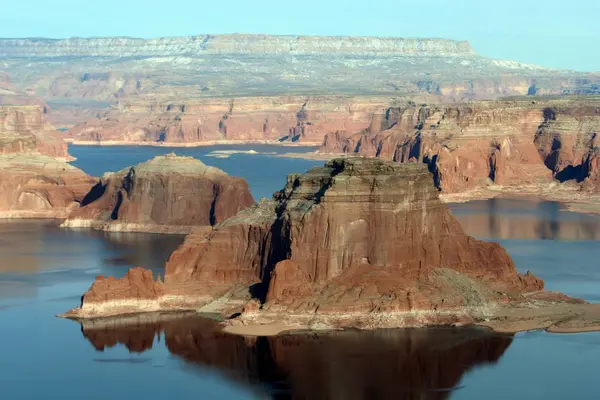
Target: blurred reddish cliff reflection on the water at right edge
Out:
[521,219]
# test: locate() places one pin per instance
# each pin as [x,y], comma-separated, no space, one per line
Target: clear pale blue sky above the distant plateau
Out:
[551,33]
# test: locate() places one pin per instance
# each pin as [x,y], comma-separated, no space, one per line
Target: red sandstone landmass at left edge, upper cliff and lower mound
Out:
[35,180]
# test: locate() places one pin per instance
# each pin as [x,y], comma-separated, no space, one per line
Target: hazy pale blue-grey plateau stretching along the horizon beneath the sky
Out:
[77,74]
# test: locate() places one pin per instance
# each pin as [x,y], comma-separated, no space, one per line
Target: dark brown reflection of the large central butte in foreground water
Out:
[386,364]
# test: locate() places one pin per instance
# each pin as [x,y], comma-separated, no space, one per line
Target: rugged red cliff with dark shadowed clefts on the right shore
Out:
[473,145]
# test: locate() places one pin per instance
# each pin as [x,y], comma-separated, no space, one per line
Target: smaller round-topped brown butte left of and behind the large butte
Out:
[168,194]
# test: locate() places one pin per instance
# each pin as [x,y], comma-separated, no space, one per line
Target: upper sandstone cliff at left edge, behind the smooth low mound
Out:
[23,129]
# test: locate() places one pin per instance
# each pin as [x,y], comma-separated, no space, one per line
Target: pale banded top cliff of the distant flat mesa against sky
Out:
[231,44]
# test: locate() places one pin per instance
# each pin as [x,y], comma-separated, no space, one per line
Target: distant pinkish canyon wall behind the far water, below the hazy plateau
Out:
[284,119]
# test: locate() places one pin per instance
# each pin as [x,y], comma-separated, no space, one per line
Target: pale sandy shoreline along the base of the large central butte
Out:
[559,318]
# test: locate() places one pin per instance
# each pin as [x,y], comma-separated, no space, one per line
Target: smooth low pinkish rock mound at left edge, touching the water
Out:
[39,186]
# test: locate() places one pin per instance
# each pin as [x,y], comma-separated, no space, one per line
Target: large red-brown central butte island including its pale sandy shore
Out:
[359,243]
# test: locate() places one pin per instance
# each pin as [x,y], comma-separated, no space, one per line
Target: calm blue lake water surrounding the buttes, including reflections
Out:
[44,270]
